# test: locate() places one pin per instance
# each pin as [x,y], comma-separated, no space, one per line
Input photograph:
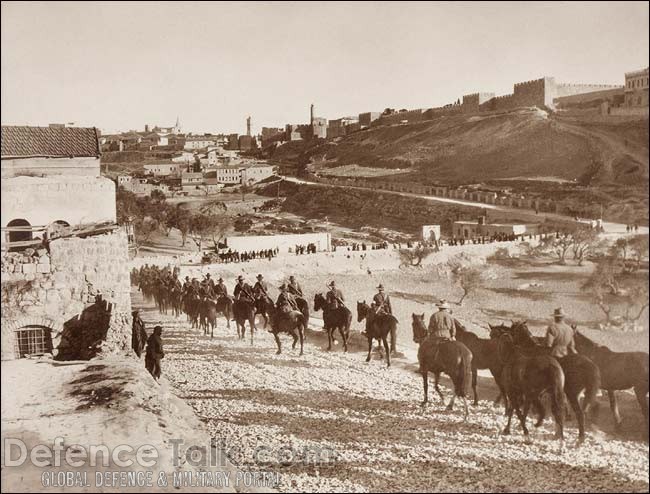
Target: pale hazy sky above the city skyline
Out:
[118,66]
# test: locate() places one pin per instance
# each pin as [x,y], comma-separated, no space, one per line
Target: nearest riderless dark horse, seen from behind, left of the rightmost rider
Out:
[525,379]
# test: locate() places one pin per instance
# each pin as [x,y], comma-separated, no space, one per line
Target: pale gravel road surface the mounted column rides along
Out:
[367,422]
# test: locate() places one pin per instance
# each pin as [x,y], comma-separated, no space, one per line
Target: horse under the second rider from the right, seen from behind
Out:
[451,357]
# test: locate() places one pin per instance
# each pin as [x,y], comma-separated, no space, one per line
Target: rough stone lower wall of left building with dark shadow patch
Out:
[60,291]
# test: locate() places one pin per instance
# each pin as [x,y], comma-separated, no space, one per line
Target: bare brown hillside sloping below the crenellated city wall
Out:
[462,149]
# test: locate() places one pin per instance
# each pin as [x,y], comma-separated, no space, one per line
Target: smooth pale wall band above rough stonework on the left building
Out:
[69,198]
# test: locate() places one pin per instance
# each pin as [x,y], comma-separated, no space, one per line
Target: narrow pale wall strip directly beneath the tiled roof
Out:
[88,166]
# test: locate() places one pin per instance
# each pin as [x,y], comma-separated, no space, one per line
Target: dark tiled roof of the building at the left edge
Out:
[25,141]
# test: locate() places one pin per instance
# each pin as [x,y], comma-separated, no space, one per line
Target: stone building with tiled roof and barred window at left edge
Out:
[64,292]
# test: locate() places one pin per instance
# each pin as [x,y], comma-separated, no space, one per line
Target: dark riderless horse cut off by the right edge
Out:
[619,370]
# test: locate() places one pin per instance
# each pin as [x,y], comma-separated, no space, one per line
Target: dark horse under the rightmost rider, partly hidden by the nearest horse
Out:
[580,374]
